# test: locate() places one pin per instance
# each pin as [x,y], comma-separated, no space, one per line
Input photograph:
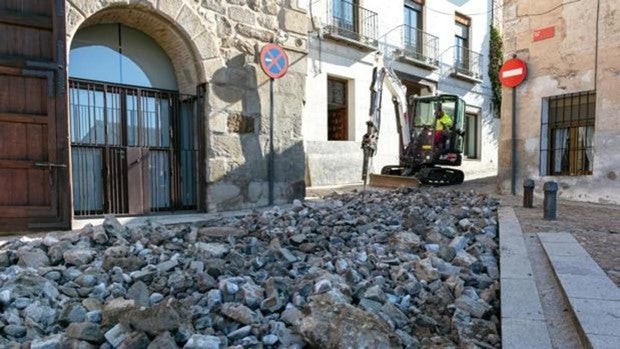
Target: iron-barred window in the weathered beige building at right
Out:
[569,128]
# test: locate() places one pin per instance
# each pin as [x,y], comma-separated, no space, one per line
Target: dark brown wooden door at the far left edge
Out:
[34,144]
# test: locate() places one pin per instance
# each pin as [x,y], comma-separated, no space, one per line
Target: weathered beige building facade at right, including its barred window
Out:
[567,128]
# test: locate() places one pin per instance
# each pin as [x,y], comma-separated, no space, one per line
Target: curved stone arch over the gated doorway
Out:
[176,29]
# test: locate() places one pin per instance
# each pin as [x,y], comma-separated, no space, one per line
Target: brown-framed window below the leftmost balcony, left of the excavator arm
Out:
[337,111]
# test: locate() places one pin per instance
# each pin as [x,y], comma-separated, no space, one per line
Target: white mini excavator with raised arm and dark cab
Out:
[420,155]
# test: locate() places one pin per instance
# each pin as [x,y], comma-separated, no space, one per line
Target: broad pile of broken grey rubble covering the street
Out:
[401,269]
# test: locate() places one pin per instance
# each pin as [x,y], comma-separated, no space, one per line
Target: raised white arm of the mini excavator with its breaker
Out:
[384,75]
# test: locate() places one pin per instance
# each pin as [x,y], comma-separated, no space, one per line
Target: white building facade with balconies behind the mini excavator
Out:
[435,47]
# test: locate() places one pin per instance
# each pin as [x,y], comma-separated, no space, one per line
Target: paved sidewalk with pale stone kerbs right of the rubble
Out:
[580,303]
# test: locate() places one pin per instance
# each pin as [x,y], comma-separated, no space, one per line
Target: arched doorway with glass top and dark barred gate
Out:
[134,144]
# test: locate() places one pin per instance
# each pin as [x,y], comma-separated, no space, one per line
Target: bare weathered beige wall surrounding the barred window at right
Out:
[575,59]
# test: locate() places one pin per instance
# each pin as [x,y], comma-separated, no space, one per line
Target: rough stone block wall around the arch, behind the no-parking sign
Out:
[217,43]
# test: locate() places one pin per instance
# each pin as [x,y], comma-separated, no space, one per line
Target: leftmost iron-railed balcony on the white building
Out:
[352,24]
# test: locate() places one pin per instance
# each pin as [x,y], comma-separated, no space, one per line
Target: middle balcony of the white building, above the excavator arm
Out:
[416,47]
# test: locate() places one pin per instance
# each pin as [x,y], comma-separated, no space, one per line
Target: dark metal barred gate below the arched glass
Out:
[134,150]
